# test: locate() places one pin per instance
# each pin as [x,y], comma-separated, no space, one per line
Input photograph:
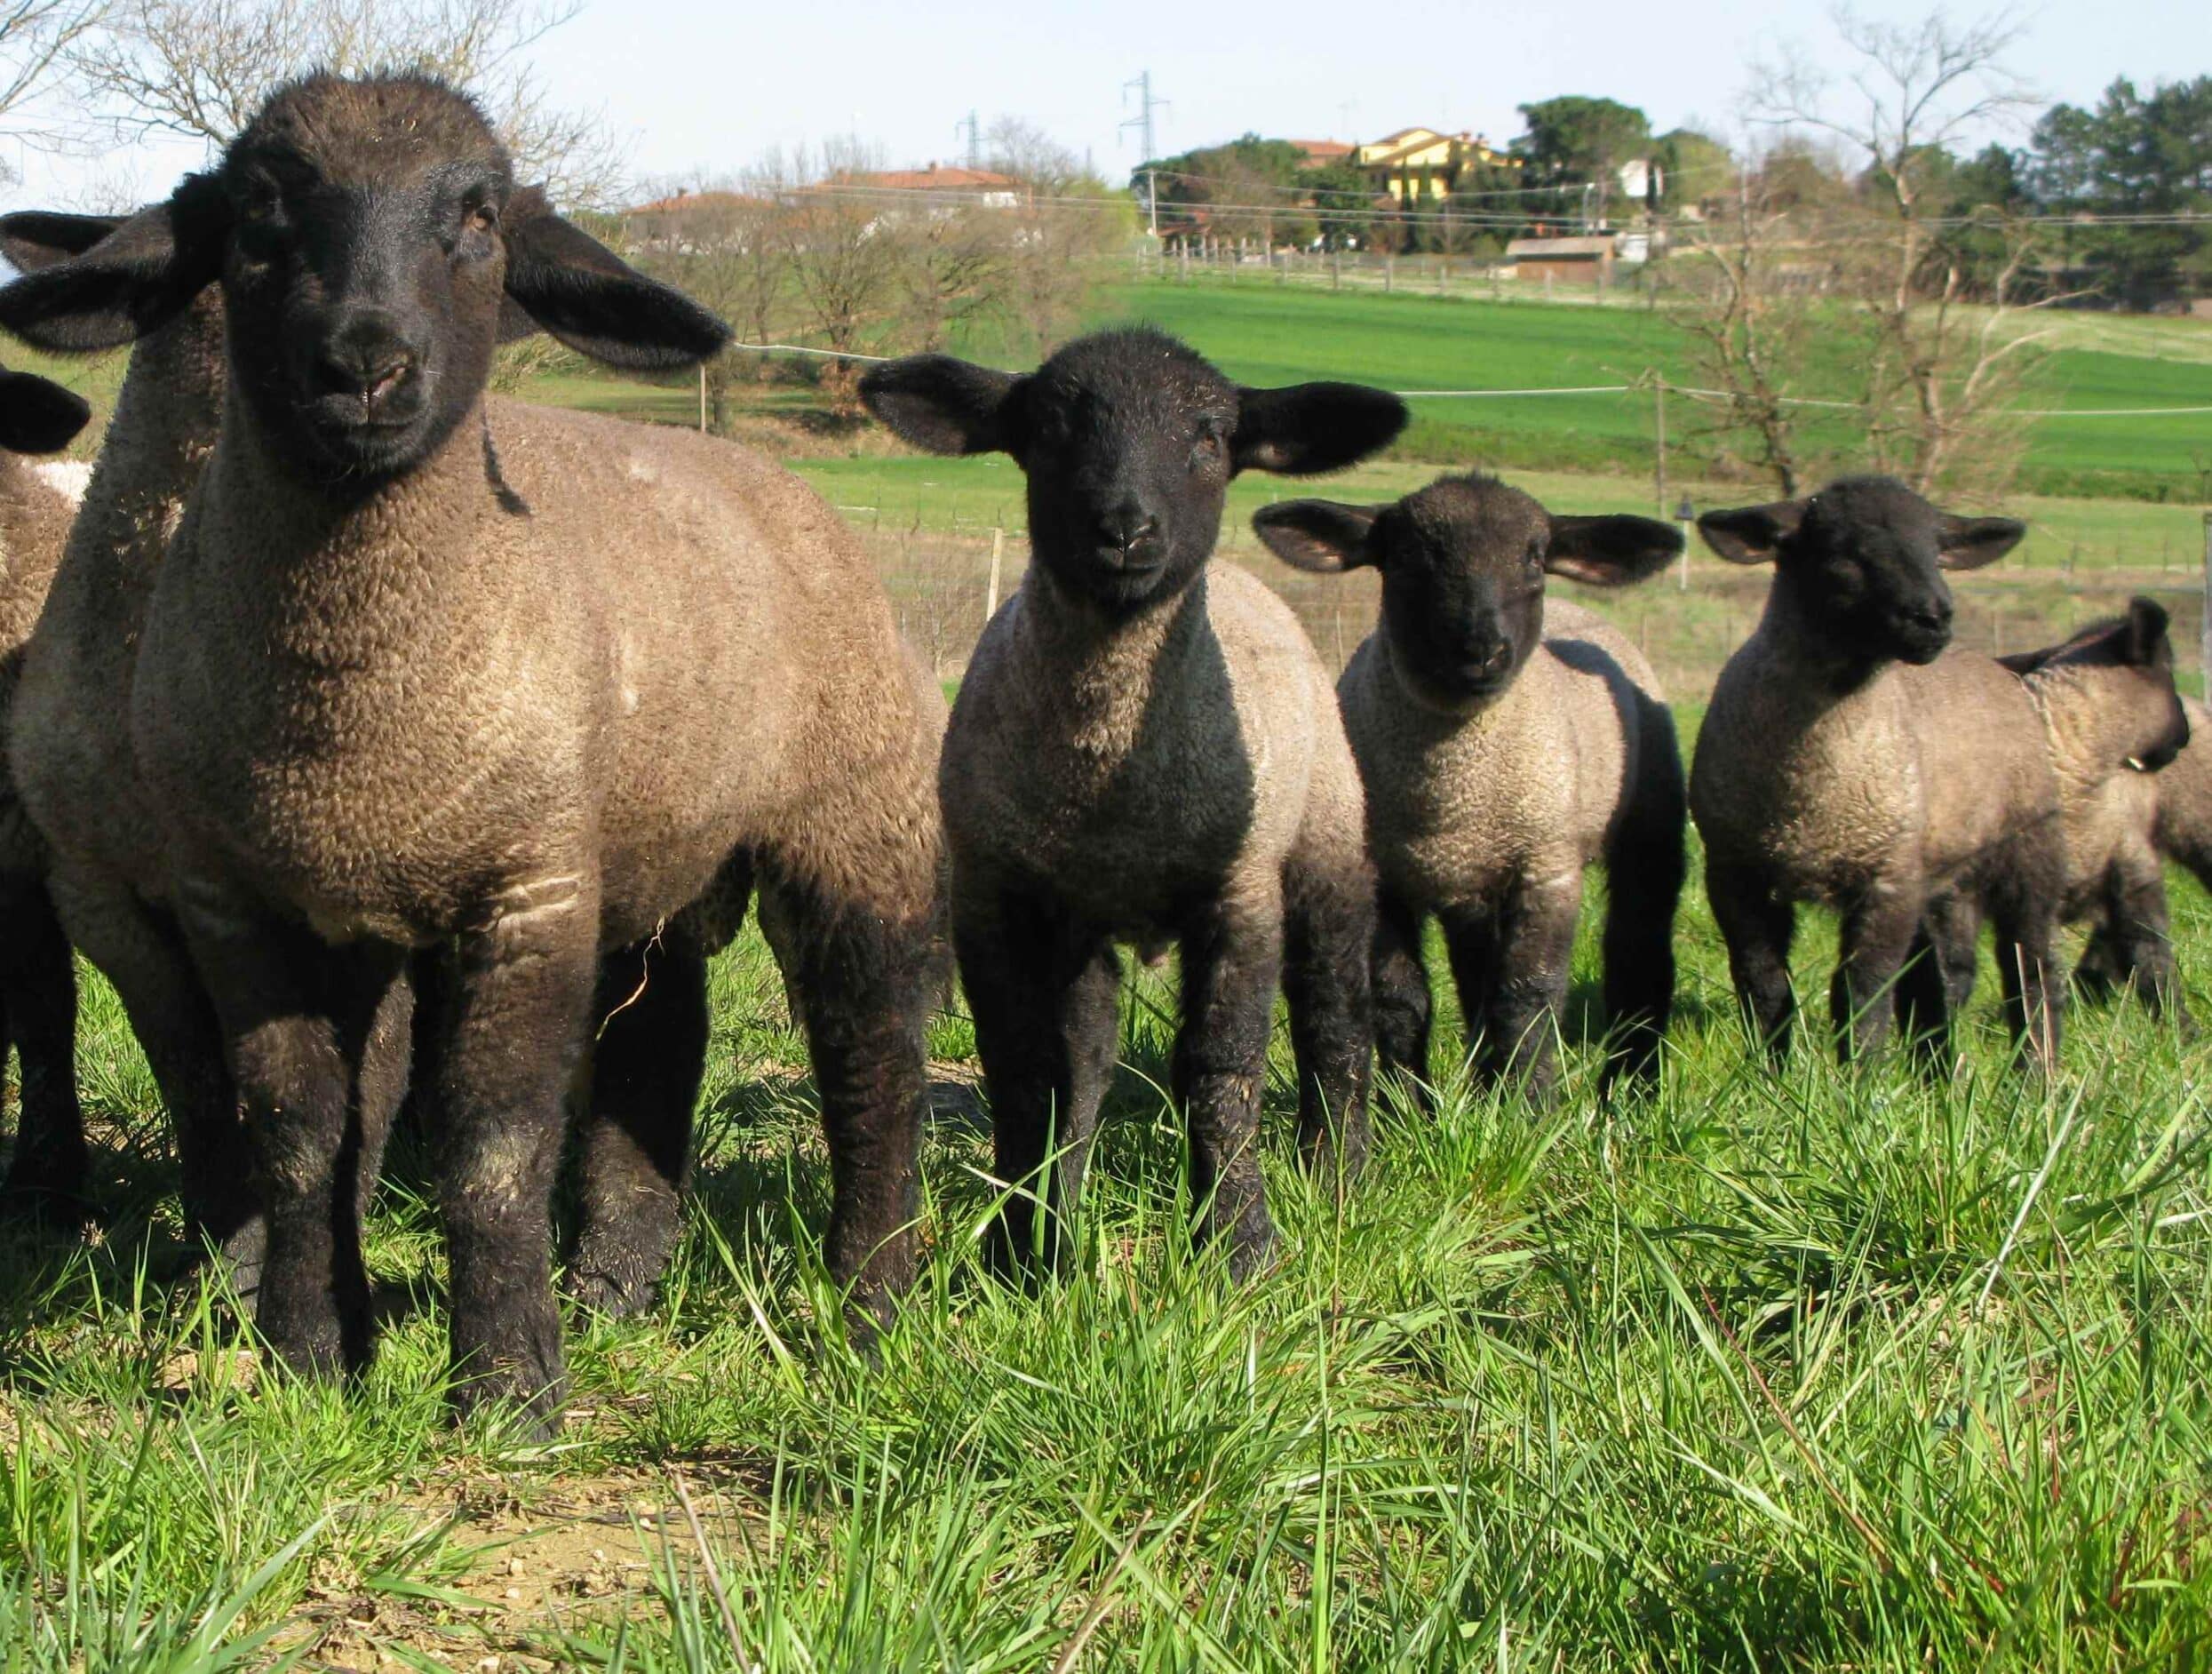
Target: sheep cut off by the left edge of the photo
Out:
[39,985]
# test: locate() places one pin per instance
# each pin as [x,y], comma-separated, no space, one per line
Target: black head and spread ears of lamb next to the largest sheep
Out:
[1129,441]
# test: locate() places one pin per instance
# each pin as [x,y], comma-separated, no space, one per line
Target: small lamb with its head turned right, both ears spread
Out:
[1850,762]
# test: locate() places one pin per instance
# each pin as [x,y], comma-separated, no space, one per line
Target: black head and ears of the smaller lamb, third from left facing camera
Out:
[1463,576]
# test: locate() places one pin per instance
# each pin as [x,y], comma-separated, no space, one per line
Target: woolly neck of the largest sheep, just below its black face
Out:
[351,576]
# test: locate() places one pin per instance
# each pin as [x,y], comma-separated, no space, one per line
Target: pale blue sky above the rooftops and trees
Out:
[707,85]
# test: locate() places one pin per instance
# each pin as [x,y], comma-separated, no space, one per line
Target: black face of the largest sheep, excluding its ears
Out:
[366,271]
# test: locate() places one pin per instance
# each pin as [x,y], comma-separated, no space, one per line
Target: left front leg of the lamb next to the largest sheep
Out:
[1045,1003]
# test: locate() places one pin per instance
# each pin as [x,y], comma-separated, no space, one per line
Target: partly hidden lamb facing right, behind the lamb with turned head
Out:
[2118,742]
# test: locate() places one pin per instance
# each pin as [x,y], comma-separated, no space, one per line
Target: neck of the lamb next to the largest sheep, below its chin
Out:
[1096,673]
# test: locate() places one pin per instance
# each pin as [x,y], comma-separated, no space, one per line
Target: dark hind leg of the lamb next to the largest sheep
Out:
[1328,943]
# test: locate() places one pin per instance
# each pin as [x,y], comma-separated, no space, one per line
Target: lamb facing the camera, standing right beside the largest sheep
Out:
[1147,751]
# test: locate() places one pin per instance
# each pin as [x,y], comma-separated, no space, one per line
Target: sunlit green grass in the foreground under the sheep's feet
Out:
[1775,1372]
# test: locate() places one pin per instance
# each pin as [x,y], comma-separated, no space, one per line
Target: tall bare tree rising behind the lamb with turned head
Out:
[1939,375]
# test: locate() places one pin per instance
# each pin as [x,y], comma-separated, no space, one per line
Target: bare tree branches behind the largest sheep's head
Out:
[202,67]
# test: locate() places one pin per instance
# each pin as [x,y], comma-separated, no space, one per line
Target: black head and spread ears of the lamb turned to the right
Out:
[1864,563]
